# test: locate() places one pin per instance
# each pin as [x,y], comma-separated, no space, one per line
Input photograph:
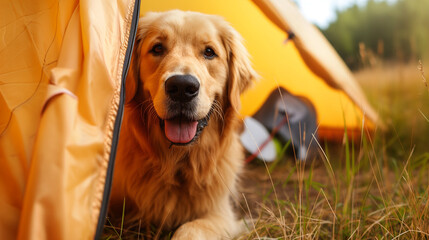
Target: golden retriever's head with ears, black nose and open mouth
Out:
[186,64]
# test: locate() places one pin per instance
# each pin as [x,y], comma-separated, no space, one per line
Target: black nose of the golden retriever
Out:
[182,88]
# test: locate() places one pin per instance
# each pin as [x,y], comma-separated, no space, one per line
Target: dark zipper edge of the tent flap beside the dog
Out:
[118,122]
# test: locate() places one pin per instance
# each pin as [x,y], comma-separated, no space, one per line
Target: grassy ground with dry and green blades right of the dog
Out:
[374,188]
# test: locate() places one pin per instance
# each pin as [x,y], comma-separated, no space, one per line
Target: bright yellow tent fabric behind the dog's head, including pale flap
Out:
[307,66]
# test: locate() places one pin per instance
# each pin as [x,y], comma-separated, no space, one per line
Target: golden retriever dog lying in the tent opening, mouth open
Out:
[179,154]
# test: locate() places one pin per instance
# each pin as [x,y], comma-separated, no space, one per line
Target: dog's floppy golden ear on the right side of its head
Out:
[241,72]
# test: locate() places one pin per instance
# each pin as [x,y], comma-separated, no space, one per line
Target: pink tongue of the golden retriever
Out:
[180,131]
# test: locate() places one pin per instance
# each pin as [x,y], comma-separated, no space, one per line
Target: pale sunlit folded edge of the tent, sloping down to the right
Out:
[316,51]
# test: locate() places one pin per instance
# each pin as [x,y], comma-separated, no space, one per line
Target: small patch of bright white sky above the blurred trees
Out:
[322,12]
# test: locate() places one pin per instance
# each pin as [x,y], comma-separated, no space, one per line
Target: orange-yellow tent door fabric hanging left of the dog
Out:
[61,65]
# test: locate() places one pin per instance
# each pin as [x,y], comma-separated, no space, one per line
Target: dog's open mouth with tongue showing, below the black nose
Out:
[181,130]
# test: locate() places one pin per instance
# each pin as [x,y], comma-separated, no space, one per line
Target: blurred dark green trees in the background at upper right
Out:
[381,31]
